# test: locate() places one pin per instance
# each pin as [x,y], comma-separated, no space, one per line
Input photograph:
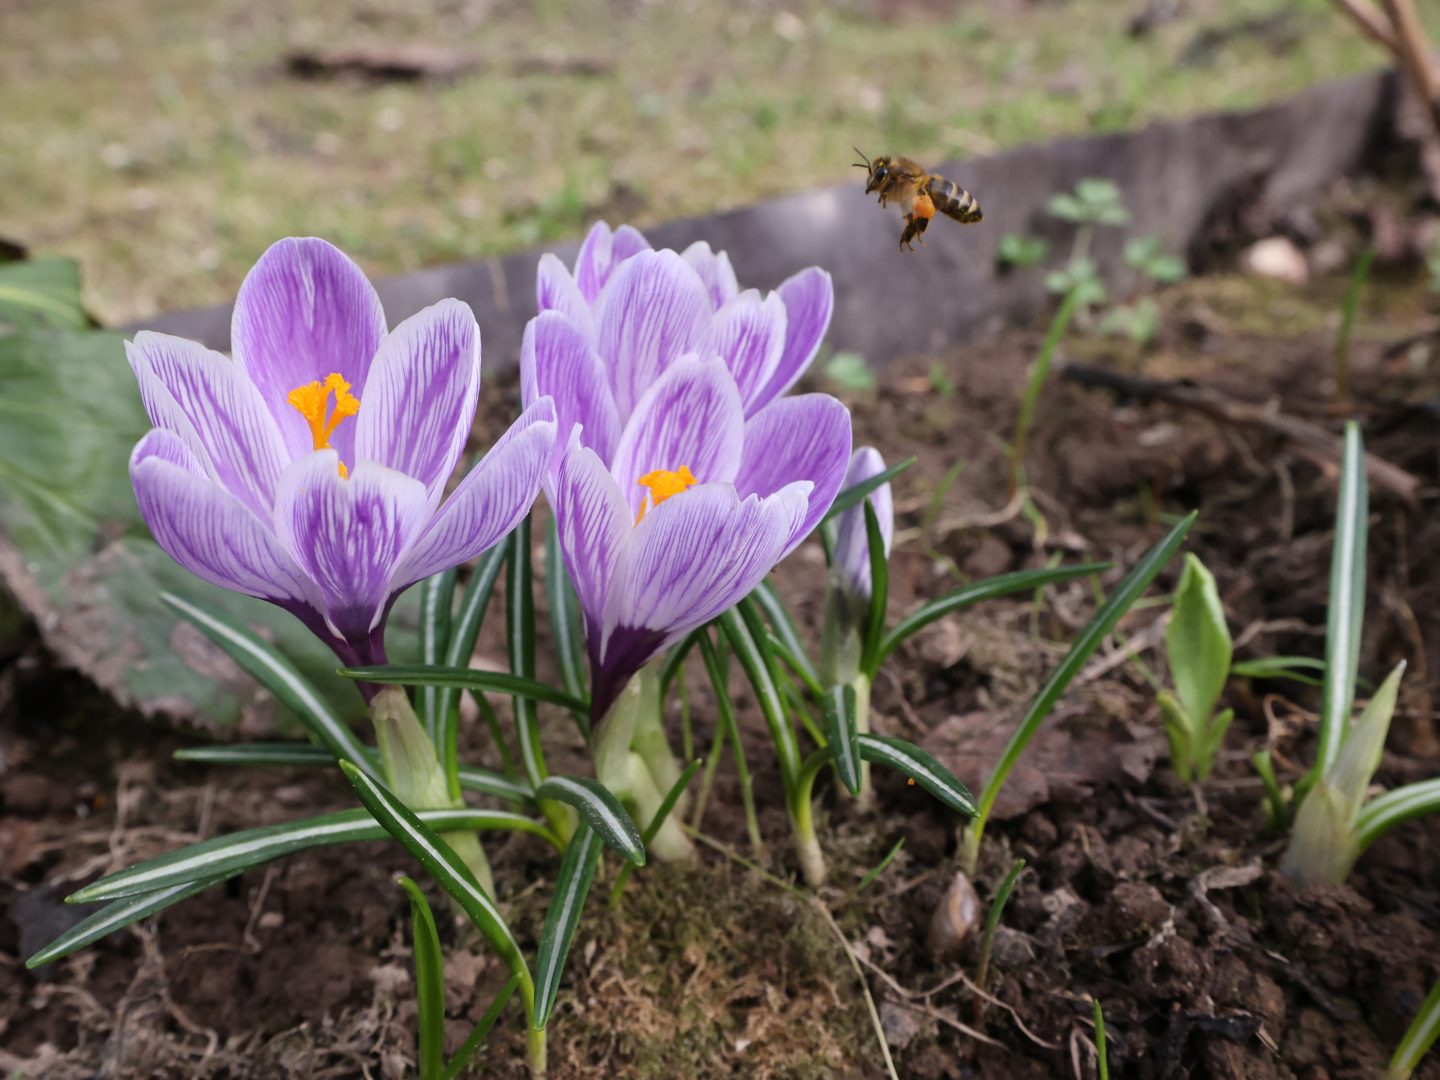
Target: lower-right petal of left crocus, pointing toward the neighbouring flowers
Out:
[490,502]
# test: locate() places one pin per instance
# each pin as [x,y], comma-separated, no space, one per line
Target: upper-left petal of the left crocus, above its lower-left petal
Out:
[211,404]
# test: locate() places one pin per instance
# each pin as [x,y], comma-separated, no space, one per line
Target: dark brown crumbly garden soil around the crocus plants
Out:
[1158,901]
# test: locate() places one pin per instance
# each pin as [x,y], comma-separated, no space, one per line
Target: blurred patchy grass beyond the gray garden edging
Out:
[163,143]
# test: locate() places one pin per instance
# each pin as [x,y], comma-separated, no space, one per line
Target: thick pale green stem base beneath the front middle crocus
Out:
[633,758]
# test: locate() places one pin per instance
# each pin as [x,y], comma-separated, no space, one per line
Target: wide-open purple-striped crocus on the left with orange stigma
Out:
[310,469]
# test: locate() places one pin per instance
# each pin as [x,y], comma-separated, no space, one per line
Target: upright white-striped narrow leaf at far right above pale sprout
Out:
[1347,608]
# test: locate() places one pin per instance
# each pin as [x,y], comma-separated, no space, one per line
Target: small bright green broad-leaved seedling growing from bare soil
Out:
[1199,646]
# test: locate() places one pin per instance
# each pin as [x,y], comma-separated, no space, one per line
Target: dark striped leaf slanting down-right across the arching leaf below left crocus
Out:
[443,865]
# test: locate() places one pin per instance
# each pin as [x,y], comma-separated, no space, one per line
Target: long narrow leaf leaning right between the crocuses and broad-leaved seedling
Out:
[1105,620]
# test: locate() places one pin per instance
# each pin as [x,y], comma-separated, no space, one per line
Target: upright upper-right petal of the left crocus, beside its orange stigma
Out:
[418,405]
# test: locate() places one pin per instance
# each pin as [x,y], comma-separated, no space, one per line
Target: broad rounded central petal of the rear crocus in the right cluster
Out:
[653,312]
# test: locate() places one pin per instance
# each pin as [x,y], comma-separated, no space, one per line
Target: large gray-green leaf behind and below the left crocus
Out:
[81,562]
